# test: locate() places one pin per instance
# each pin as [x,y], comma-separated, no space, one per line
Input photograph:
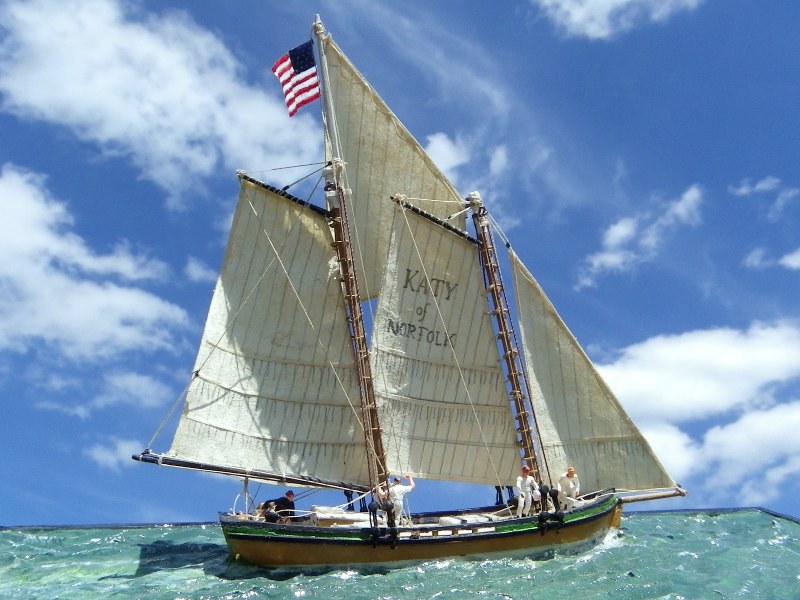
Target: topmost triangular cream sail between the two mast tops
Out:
[382,159]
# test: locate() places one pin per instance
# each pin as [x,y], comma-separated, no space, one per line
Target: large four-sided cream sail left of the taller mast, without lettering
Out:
[274,387]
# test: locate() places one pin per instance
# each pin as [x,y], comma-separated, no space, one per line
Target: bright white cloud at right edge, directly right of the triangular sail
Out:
[703,374]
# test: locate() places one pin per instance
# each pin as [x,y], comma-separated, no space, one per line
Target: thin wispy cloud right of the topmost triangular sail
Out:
[475,154]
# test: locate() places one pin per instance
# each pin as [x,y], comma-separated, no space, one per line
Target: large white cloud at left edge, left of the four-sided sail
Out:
[55,290]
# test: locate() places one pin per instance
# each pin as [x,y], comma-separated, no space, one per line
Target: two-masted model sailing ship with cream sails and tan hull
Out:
[454,383]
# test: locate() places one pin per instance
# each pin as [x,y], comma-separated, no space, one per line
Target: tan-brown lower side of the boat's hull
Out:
[321,553]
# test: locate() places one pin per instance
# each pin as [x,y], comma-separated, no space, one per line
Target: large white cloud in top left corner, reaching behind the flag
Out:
[159,90]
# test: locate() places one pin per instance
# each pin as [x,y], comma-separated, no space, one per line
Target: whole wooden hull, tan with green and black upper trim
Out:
[301,546]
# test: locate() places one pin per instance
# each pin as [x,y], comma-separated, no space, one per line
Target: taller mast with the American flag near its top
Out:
[337,195]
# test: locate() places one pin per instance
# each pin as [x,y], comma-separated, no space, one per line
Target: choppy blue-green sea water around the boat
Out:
[669,555]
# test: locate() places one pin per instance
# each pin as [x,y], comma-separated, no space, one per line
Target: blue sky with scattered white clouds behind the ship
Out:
[640,154]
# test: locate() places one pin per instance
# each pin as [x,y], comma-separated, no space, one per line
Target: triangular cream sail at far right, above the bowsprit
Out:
[580,421]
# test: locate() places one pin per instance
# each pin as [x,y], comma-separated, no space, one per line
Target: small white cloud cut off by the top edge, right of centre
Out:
[601,19]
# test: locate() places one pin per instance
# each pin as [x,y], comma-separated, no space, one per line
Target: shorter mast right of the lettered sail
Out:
[510,355]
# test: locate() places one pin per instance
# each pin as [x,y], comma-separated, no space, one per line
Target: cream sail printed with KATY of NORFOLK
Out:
[441,395]
